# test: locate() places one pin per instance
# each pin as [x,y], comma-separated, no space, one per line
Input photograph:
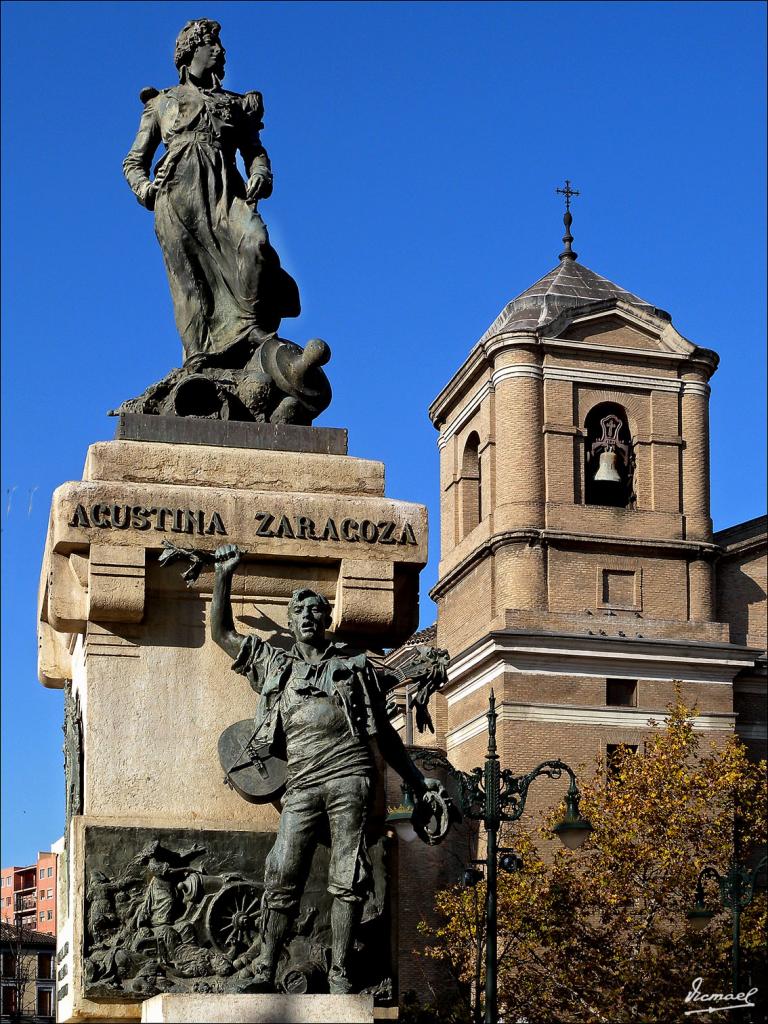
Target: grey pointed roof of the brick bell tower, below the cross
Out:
[568,286]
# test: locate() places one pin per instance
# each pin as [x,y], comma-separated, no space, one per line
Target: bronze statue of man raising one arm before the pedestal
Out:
[323,703]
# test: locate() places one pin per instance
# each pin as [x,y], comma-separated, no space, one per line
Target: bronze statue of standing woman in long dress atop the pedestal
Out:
[229,289]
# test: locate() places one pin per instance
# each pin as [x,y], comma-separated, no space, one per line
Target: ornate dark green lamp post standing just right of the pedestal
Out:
[493,795]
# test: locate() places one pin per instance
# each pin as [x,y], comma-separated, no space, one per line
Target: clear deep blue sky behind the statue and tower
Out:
[416,148]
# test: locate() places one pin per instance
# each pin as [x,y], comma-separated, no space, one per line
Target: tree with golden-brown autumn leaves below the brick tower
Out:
[602,936]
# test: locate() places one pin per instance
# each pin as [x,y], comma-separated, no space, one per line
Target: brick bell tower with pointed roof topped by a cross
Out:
[577,572]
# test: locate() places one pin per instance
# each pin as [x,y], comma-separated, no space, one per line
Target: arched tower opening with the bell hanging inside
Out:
[609,457]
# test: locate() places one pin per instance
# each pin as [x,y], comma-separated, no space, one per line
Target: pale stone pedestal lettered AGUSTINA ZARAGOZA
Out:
[148,693]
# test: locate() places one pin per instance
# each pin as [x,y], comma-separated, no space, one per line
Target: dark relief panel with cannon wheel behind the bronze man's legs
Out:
[180,911]
